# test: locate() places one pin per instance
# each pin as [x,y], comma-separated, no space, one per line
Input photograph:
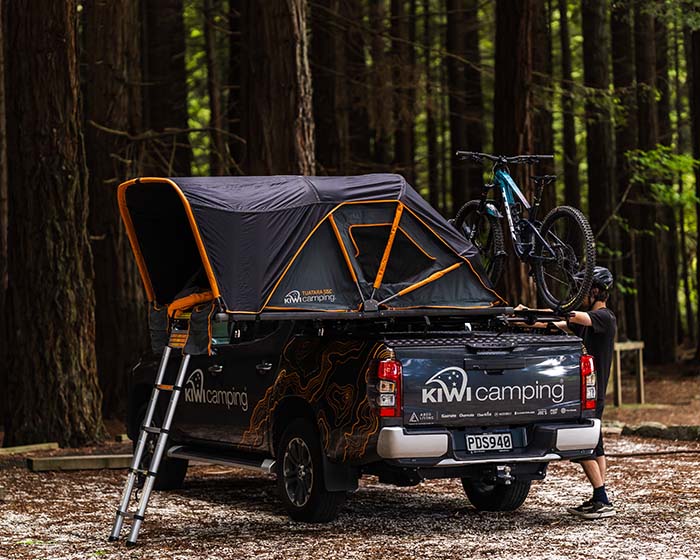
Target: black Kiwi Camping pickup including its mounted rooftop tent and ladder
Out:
[332,327]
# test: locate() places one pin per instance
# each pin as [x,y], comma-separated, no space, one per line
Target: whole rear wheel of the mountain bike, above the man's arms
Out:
[569,235]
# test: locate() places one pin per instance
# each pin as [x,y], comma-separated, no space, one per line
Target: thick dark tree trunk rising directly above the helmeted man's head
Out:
[599,144]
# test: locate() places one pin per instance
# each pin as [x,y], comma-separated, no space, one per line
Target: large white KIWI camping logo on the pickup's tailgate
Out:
[450,385]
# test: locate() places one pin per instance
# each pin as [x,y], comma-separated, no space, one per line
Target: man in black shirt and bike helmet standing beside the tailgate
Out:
[597,327]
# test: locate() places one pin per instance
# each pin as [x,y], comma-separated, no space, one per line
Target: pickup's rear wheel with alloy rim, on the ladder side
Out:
[300,476]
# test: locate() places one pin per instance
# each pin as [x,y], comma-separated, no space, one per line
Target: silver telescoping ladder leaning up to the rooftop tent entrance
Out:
[137,516]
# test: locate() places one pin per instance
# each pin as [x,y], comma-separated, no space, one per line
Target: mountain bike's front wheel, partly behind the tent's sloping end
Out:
[485,233]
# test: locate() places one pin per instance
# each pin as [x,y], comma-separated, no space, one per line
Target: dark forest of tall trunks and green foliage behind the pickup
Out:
[98,91]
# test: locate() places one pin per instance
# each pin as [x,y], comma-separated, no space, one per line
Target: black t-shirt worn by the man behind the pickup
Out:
[599,340]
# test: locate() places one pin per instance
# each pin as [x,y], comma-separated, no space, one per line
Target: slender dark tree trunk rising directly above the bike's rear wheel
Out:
[572,185]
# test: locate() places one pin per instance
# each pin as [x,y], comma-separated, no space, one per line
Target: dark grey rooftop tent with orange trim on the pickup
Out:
[292,243]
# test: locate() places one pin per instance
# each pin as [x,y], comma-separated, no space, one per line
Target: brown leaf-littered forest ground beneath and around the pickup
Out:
[223,512]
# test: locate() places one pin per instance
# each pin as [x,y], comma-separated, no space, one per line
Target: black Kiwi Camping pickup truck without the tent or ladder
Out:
[404,399]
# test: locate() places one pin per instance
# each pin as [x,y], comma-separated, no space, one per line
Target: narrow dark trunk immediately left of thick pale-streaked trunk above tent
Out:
[236,144]
